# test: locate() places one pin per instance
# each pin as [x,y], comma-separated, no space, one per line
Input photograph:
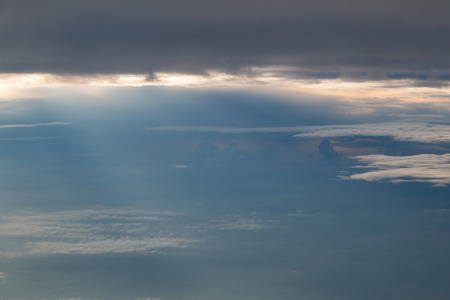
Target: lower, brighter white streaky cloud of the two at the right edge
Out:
[428,168]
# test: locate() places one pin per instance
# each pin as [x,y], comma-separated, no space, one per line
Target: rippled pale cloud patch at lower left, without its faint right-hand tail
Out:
[93,232]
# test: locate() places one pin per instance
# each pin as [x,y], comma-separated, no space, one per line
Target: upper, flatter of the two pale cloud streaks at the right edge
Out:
[409,132]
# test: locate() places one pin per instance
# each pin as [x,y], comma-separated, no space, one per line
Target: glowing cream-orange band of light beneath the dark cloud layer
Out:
[21,85]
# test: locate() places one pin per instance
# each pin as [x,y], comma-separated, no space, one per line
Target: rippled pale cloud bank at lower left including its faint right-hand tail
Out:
[107,231]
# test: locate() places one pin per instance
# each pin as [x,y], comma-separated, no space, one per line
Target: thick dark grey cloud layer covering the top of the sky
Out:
[152,36]
